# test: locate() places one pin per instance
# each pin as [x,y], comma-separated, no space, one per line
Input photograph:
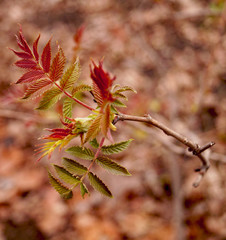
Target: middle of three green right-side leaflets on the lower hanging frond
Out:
[112,166]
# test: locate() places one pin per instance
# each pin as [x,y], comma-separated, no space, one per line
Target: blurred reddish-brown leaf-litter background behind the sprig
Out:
[173,52]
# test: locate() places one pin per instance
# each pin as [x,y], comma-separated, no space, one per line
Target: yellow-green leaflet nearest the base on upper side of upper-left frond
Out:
[71,75]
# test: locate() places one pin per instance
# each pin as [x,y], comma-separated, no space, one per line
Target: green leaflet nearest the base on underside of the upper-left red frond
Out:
[50,97]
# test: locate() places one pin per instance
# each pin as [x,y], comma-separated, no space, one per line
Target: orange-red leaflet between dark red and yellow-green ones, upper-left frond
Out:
[57,66]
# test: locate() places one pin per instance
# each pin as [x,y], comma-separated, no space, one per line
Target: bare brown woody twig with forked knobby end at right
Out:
[192,147]
